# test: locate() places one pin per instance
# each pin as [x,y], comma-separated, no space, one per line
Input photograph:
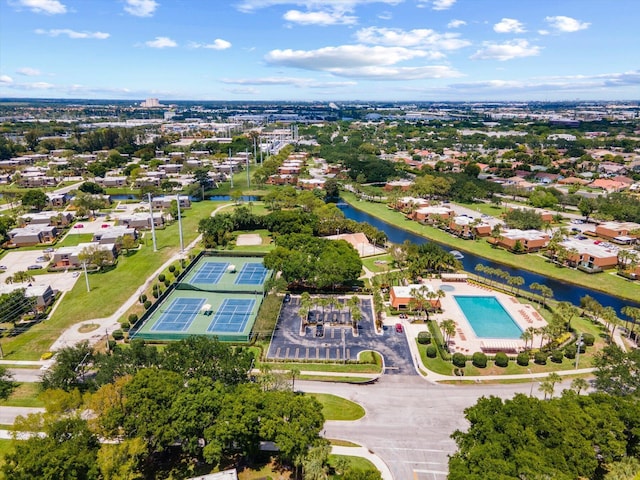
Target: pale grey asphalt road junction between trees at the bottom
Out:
[409,421]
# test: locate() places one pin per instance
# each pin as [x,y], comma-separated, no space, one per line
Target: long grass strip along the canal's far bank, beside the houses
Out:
[535,263]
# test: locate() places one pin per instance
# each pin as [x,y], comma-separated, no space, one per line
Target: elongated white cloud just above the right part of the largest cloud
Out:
[422,38]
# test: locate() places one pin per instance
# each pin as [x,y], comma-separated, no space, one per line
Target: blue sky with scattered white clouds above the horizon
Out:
[325,50]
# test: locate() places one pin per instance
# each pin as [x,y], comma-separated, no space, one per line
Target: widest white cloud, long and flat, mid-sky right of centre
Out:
[360,61]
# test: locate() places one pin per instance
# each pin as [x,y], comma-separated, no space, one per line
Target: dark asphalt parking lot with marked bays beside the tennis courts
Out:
[335,341]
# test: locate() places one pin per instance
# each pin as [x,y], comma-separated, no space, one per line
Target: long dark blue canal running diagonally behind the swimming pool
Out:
[561,291]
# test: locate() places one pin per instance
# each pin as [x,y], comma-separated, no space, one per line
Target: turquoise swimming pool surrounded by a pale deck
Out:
[487,317]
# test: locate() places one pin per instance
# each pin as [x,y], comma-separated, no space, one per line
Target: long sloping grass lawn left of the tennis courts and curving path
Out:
[109,290]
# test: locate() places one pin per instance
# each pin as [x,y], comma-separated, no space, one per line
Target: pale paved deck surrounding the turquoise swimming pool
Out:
[465,341]
